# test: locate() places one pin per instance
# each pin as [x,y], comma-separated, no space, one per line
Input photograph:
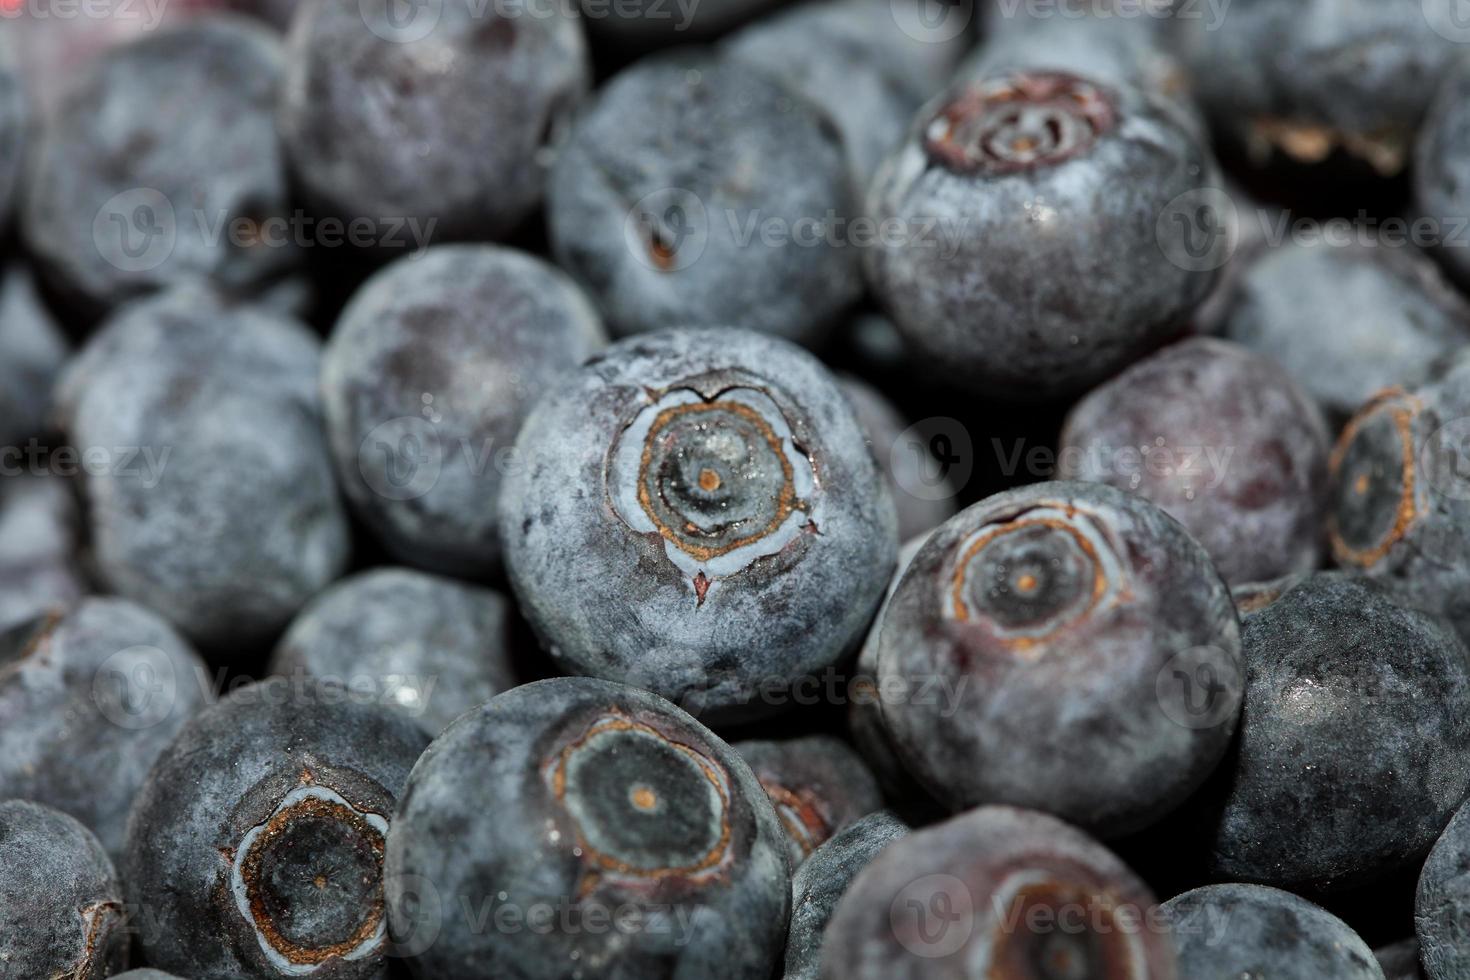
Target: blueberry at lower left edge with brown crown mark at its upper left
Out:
[89,700]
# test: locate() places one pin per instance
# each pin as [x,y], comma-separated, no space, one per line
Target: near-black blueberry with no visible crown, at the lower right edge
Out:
[1355,744]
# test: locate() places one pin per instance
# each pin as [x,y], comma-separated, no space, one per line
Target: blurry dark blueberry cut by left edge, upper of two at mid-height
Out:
[32,353]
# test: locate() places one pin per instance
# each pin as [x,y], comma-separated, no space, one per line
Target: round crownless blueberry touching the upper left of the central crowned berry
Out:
[427,380]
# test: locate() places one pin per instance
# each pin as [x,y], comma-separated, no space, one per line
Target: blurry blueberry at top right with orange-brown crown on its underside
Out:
[1321,83]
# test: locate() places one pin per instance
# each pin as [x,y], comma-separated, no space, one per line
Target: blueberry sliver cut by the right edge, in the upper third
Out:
[1441,170]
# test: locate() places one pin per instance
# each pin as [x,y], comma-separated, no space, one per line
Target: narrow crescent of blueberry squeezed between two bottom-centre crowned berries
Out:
[821,882]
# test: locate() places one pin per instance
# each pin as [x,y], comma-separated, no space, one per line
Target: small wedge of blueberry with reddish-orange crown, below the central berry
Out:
[817,784]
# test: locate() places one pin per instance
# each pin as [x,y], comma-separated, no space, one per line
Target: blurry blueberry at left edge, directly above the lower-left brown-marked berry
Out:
[40,566]
